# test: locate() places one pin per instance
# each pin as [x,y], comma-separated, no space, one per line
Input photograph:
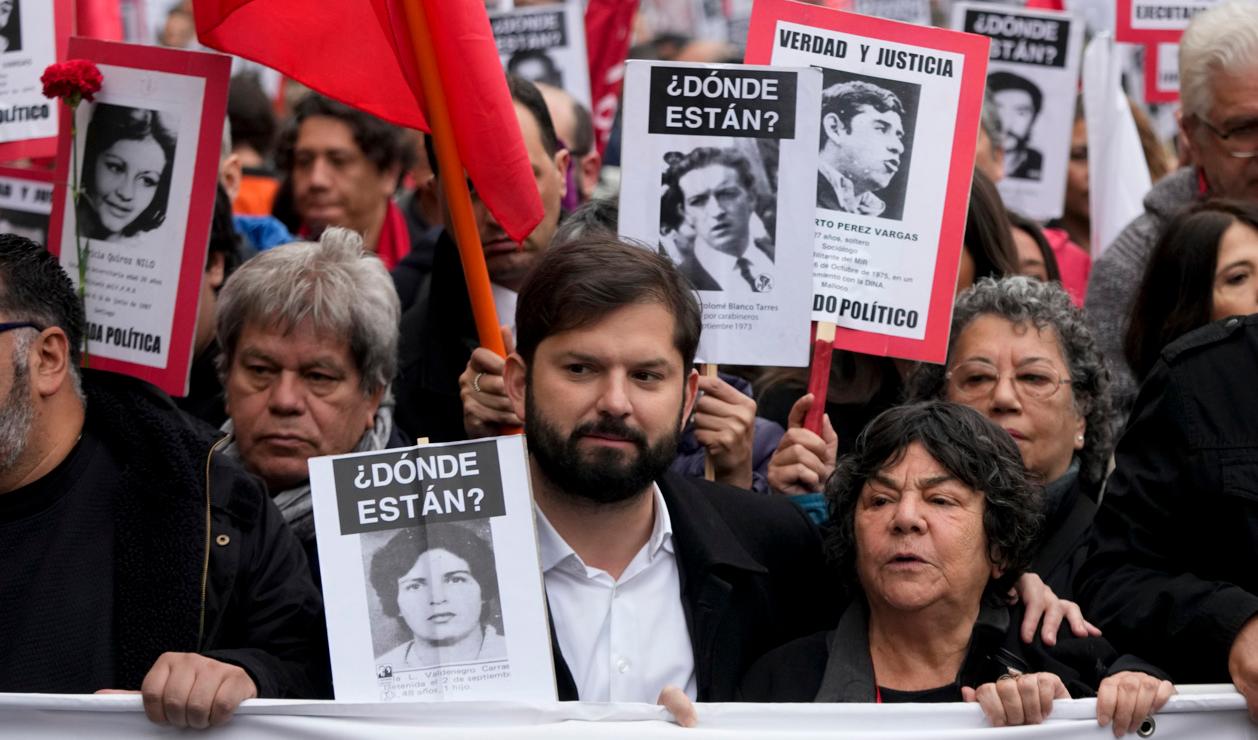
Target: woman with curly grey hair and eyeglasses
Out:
[1022,354]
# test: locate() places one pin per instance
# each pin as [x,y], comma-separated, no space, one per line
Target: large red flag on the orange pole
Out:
[360,52]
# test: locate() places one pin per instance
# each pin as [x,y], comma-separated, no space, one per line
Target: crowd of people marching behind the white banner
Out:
[1028,522]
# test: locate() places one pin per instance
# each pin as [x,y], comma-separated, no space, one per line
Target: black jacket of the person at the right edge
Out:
[1172,568]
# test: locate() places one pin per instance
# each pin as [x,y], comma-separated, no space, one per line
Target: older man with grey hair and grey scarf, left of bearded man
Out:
[310,348]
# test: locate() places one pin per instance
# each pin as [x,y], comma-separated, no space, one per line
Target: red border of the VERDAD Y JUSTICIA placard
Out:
[760,41]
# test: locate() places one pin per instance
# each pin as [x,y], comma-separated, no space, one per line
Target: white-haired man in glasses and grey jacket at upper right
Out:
[1220,98]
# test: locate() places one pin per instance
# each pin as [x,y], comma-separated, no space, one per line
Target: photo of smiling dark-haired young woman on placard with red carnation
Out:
[125,182]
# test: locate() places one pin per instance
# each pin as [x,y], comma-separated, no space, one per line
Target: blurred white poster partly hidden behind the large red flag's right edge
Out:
[547,43]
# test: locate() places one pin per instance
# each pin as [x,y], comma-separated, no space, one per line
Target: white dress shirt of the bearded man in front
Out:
[622,640]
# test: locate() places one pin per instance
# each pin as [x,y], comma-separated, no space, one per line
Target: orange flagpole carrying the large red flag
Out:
[457,196]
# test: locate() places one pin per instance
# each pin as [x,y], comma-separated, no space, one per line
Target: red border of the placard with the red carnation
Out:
[216,70]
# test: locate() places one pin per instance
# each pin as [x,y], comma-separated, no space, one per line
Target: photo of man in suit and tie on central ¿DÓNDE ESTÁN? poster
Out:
[715,196]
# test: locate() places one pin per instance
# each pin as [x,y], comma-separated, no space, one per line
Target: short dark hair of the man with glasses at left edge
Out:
[35,288]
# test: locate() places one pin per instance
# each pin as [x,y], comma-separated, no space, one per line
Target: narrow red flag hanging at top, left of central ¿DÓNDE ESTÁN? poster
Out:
[608,31]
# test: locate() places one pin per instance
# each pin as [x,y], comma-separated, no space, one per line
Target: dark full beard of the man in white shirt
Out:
[599,476]
